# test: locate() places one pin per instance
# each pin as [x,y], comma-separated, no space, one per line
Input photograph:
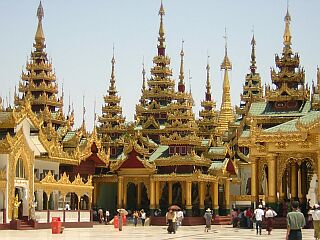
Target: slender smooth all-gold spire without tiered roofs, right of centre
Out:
[226,114]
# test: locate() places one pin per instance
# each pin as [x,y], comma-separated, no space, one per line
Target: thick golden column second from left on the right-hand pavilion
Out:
[272,177]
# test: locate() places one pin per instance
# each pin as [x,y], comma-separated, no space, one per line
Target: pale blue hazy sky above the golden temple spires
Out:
[80,34]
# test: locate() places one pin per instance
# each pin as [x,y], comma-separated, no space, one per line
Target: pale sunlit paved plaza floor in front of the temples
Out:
[150,233]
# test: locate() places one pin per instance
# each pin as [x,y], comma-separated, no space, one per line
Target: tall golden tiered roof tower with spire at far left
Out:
[38,83]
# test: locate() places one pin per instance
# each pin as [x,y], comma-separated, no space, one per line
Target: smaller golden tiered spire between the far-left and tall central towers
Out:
[112,121]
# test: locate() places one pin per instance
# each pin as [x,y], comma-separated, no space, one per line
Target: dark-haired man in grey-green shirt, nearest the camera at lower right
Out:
[295,221]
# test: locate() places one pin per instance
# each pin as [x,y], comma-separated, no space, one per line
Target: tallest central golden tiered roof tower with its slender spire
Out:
[152,114]
